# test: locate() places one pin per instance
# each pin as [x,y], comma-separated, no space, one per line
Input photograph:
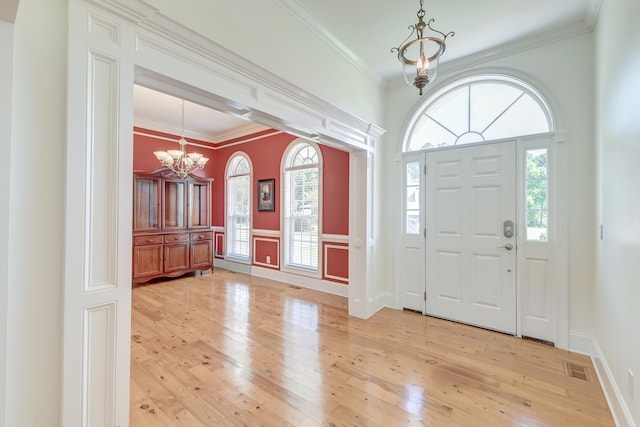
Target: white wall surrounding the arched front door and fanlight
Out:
[566,80]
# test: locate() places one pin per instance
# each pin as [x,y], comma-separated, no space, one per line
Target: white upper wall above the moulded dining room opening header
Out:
[268,35]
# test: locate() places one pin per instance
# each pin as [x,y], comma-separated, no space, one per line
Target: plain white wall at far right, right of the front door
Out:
[617,288]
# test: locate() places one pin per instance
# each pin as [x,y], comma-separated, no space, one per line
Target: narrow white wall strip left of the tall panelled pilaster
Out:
[36,204]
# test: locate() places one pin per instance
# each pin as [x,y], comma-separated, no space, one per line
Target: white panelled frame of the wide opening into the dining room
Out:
[113,45]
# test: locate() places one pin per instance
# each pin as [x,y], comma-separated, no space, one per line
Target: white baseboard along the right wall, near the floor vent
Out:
[617,405]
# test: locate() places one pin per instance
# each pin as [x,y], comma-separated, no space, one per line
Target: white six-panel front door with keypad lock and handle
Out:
[470,251]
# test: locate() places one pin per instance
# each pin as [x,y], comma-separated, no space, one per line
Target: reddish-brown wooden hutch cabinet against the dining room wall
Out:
[172,232]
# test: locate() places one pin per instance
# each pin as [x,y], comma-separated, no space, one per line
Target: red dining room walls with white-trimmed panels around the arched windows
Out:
[266,153]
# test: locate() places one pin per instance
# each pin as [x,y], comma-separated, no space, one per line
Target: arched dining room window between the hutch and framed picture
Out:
[238,207]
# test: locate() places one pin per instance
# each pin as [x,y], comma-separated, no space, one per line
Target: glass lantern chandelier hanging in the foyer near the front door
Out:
[420,68]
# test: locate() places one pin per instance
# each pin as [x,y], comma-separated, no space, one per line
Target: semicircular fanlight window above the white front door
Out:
[478,109]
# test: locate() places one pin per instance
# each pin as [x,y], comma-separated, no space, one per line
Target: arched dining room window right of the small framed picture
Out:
[301,205]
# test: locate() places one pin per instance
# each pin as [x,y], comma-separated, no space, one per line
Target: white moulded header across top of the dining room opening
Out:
[236,85]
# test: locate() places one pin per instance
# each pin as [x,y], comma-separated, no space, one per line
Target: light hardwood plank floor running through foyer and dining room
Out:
[232,350]
